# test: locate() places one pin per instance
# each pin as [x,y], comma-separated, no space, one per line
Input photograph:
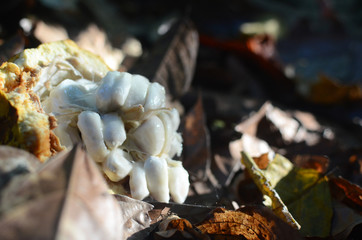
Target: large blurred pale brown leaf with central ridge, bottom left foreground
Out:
[67,198]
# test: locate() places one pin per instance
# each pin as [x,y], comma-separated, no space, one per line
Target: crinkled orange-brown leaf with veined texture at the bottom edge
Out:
[246,223]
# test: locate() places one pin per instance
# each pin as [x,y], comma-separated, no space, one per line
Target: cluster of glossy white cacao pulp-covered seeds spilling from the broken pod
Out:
[126,127]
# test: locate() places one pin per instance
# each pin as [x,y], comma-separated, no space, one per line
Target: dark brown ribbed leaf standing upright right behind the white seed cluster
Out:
[173,59]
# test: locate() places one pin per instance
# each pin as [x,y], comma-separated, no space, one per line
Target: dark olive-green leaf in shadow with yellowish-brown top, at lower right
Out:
[307,195]
